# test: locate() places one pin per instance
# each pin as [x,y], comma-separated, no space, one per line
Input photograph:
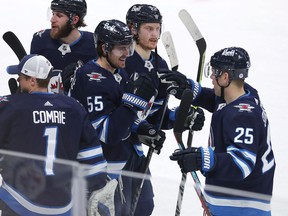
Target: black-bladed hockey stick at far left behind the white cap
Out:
[14,43]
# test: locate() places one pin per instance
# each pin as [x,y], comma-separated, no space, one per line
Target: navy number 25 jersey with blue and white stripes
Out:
[241,139]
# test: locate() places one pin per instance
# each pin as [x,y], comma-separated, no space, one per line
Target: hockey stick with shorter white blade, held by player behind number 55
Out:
[170,49]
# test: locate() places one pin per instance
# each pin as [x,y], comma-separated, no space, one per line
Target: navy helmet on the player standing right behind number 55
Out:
[143,13]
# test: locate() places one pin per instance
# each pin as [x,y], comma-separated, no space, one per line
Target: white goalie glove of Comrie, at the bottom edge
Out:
[101,202]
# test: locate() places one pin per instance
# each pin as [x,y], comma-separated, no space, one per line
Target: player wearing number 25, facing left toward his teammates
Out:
[239,155]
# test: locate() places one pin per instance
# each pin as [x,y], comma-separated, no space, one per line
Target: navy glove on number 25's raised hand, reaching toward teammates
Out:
[179,83]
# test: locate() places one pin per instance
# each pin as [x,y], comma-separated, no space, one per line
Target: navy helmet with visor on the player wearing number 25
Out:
[234,60]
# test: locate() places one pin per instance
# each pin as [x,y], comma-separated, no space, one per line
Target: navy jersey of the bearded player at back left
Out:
[60,54]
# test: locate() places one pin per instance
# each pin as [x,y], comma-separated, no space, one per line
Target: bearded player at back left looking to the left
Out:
[64,44]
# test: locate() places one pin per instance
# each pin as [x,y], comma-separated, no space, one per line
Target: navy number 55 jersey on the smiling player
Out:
[100,92]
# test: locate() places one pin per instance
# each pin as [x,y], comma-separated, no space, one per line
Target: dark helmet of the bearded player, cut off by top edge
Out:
[78,7]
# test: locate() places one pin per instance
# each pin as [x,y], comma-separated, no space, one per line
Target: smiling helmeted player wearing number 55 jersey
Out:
[112,100]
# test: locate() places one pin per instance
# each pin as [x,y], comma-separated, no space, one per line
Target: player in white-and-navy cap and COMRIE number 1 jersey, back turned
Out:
[56,127]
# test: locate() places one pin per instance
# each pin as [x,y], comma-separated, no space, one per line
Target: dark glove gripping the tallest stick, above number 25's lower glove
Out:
[195,120]
